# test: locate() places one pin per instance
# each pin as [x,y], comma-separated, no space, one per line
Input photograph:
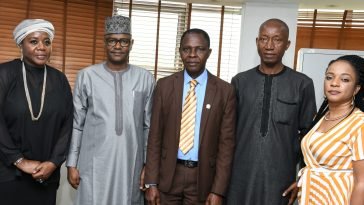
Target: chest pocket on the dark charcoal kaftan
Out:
[285,109]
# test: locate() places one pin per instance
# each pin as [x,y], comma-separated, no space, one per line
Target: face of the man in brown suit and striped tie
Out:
[194,53]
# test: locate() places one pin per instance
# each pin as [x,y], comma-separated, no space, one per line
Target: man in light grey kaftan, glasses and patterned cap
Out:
[111,123]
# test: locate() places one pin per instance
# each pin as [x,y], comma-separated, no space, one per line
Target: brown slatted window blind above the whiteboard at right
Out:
[330,29]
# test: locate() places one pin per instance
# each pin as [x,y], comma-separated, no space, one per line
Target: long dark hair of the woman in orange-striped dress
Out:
[357,63]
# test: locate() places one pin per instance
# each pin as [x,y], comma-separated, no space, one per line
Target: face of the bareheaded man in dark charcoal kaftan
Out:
[272,43]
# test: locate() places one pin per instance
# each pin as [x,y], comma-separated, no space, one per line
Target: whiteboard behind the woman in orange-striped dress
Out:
[313,63]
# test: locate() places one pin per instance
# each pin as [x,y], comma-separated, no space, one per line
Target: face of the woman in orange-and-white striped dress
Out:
[340,84]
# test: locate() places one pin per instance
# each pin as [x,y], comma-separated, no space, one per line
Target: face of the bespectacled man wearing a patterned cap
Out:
[118,47]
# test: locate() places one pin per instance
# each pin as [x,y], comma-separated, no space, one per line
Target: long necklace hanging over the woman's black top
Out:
[28,96]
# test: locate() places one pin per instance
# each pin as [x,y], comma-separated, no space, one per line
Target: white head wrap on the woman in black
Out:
[28,26]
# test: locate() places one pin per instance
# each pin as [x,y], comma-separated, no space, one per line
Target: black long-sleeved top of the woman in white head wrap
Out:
[44,140]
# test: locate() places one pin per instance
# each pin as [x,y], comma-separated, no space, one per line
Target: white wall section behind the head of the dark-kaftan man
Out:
[254,14]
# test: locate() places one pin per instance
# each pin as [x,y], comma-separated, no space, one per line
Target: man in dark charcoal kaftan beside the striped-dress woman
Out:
[275,108]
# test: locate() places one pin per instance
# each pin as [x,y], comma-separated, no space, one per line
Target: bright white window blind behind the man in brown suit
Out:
[173,21]
